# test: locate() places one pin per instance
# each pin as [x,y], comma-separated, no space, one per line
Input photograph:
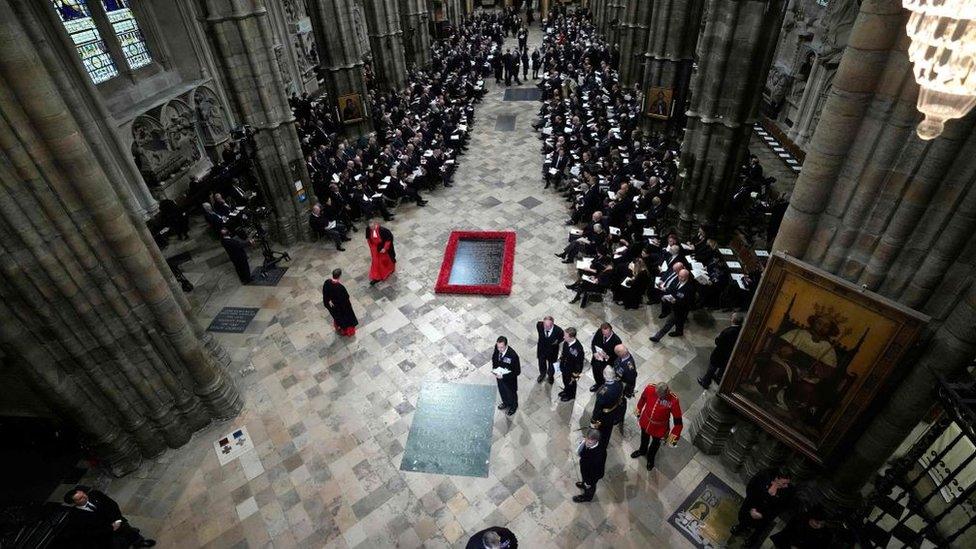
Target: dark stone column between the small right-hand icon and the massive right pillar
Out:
[734,56]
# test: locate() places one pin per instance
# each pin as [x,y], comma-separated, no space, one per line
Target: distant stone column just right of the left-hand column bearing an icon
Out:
[386,43]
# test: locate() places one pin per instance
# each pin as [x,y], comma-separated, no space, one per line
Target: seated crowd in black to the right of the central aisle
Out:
[618,182]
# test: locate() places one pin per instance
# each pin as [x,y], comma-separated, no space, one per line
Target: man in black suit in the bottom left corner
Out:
[95,520]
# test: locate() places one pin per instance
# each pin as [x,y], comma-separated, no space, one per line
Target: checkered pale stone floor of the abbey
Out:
[330,416]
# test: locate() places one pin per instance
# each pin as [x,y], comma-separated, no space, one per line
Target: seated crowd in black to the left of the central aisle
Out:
[419,132]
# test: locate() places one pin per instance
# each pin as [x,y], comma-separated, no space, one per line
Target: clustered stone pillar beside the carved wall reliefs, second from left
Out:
[243,45]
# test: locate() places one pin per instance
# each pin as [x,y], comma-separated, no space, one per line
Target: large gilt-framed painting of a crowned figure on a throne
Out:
[814,352]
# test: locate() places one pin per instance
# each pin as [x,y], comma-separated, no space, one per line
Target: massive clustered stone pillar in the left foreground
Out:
[88,309]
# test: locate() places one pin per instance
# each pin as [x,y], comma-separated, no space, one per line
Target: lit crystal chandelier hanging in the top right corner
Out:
[943,51]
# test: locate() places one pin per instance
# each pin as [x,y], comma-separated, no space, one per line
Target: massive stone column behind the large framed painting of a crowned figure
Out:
[879,207]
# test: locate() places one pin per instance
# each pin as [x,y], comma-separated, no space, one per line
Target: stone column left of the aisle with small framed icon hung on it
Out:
[341,52]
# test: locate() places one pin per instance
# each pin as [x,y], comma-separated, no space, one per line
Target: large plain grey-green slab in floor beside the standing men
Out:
[451,430]
